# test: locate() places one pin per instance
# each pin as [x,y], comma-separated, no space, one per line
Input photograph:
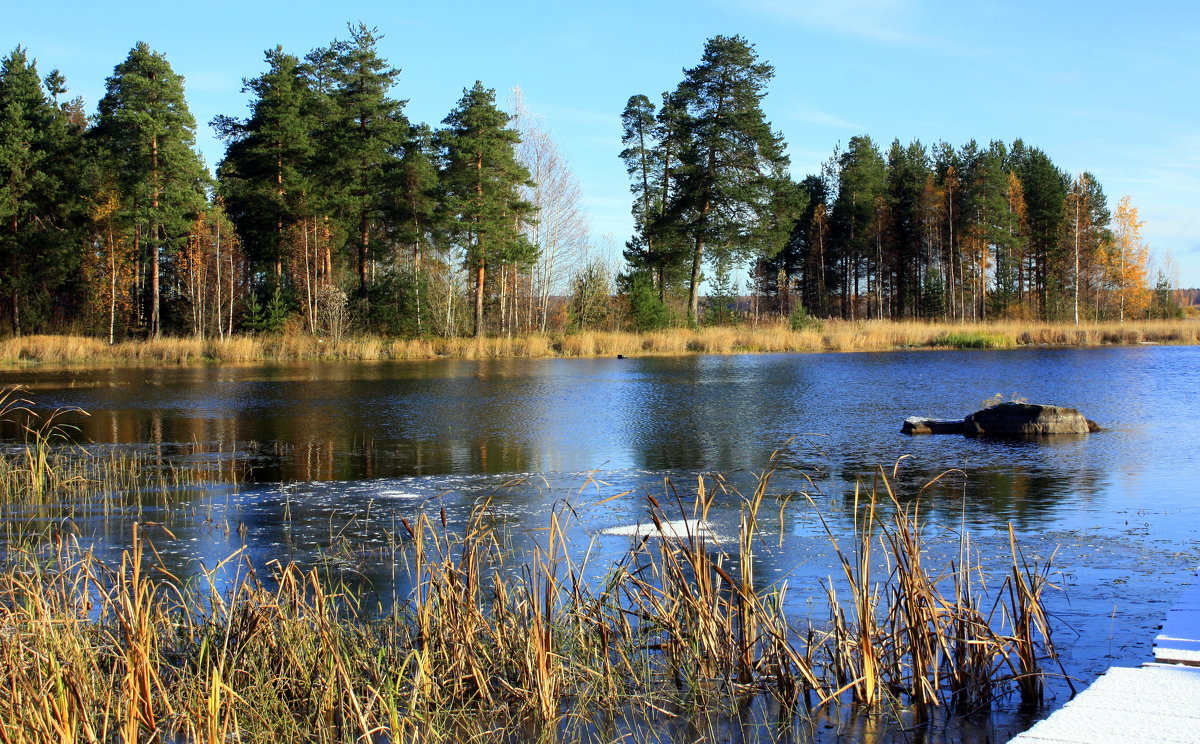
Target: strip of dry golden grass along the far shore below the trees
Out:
[829,337]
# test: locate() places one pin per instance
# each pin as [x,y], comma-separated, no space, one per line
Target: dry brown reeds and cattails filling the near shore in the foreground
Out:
[499,645]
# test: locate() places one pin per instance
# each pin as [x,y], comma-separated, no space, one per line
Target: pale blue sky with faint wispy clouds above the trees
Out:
[1102,87]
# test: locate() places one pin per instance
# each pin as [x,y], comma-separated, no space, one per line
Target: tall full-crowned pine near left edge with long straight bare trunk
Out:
[148,139]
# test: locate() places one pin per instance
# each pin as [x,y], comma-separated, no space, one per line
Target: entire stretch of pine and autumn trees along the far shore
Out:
[332,213]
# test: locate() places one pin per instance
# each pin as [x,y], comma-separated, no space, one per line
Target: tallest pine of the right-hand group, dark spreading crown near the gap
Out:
[733,167]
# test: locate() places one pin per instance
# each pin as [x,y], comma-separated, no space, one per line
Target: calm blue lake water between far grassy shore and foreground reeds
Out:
[315,454]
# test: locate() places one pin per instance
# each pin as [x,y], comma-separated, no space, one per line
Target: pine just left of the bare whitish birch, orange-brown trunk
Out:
[482,181]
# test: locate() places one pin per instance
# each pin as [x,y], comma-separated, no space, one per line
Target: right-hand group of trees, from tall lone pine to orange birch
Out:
[967,233]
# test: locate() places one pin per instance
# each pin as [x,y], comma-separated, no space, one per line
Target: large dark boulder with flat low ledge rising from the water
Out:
[1007,421]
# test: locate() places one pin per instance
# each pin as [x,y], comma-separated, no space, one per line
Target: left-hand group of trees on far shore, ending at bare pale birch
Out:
[329,211]
